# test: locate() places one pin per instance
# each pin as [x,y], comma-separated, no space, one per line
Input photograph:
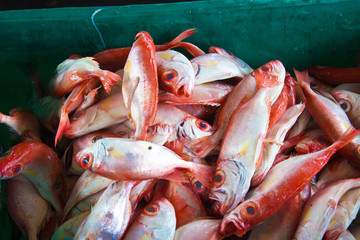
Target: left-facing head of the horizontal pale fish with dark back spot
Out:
[92,155]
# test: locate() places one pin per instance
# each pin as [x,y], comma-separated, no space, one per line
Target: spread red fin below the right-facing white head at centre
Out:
[203,146]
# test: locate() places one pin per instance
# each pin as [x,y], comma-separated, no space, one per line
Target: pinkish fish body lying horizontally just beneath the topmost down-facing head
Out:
[212,94]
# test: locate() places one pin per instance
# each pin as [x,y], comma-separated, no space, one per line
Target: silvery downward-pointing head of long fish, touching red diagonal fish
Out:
[230,185]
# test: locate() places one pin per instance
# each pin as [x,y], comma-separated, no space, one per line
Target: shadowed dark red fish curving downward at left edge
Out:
[41,165]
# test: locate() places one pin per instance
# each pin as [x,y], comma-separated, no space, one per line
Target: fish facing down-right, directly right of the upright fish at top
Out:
[176,74]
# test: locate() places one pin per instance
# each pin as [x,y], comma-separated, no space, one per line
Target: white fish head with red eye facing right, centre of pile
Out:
[193,127]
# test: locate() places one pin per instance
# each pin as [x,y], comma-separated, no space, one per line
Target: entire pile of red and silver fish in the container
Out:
[145,142]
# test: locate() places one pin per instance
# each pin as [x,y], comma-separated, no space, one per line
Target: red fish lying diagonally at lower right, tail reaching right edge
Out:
[282,183]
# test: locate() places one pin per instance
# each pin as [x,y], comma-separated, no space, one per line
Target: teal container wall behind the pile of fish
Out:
[299,33]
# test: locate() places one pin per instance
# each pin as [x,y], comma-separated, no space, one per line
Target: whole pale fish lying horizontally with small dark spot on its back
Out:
[127,159]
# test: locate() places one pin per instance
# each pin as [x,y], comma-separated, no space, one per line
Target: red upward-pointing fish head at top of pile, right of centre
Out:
[270,75]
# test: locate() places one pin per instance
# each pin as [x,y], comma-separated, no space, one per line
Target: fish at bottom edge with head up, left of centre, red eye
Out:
[156,221]
